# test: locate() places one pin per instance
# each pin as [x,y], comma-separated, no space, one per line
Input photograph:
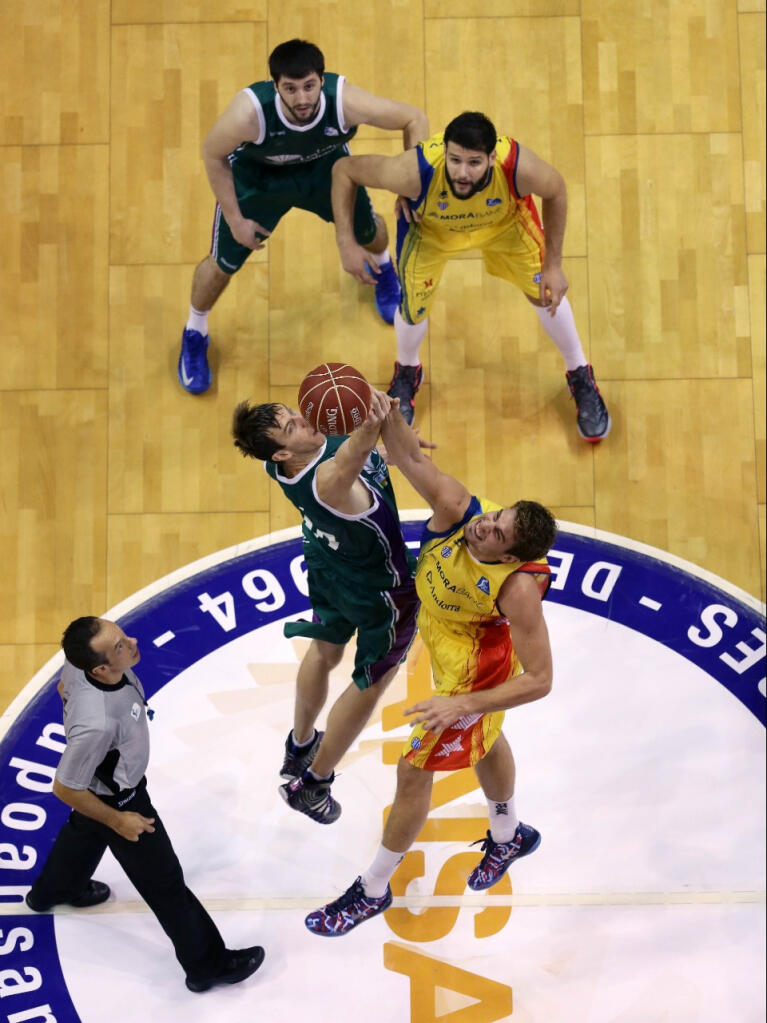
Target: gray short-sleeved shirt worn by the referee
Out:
[107,729]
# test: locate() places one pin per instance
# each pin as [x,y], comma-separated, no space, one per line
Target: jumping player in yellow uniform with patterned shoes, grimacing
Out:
[482,574]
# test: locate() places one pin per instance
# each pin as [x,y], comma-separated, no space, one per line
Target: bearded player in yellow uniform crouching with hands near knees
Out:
[469,189]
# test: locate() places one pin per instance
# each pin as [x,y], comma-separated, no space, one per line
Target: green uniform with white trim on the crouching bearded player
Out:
[289,166]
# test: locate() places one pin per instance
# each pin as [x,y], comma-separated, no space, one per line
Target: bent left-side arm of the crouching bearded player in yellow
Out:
[396,174]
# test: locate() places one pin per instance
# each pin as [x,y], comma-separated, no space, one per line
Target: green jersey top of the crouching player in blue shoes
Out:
[281,142]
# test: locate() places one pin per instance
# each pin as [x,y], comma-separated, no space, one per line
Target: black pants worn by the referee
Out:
[152,866]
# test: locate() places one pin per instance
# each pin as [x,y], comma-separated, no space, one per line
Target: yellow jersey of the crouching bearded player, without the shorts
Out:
[457,225]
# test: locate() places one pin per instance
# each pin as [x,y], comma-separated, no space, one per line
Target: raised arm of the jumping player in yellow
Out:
[448,498]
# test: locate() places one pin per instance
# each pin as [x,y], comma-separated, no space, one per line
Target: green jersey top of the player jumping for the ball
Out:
[360,552]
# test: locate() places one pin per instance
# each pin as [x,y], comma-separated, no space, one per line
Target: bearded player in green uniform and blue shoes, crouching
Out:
[273,150]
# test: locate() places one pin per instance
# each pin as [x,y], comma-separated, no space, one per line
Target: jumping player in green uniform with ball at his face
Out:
[360,577]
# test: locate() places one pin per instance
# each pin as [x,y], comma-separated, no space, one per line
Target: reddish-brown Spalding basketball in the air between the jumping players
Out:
[335,398]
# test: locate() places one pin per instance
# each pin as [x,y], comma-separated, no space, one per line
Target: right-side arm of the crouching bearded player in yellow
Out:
[536,176]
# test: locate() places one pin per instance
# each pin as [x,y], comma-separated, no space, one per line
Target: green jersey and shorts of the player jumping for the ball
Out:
[360,572]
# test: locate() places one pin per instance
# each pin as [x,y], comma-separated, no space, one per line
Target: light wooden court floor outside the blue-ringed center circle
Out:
[113,476]
